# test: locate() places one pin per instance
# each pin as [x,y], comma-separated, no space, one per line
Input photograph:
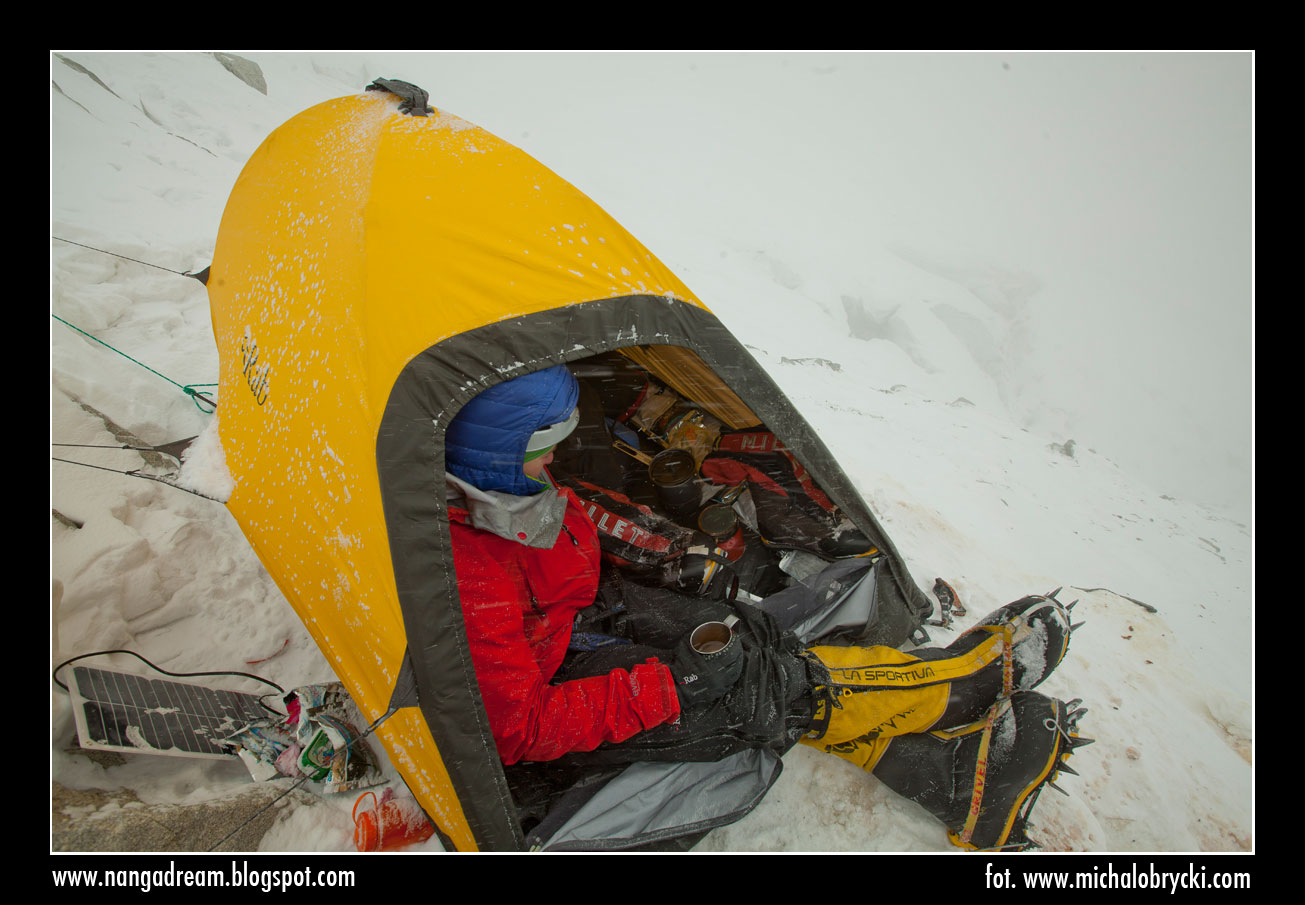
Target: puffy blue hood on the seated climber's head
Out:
[486,443]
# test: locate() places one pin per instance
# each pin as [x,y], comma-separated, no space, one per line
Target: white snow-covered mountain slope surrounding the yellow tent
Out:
[1012,292]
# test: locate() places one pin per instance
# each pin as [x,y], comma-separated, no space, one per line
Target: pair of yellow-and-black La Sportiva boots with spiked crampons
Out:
[957,729]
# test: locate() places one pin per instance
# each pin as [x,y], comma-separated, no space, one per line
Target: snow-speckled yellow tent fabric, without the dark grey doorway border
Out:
[354,240]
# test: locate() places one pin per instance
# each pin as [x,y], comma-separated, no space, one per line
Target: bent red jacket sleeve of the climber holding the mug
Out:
[530,718]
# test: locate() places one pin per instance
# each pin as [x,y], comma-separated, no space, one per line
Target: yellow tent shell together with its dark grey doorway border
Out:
[373,274]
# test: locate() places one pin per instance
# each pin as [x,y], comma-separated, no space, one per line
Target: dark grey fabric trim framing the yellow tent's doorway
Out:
[410,464]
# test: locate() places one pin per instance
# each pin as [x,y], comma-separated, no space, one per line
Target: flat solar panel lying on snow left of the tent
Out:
[125,712]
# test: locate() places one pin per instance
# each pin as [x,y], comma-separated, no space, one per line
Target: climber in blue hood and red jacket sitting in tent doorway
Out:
[529,562]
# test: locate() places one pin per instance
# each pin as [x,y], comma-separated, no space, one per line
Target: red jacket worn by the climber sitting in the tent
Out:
[519,604]
